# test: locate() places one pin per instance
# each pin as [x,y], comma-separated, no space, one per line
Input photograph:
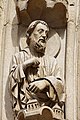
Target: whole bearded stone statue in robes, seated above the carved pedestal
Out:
[33,75]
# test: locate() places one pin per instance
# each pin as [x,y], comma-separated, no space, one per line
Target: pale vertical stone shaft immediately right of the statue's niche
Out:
[71,60]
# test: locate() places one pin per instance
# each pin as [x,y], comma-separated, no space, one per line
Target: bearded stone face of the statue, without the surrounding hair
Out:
[39,37]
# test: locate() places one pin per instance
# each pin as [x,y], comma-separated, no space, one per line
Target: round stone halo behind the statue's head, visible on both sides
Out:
[53,45]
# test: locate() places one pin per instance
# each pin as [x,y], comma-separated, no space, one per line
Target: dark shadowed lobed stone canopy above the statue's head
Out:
[53,12]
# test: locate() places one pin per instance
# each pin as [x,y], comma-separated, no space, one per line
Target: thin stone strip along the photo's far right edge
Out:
[78,58]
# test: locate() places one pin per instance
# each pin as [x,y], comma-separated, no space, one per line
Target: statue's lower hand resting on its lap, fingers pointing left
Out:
[38,85]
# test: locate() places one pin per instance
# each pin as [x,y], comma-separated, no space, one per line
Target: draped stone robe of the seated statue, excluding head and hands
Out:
[19,80]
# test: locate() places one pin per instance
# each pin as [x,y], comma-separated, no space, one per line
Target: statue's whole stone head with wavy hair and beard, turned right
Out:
[37,34]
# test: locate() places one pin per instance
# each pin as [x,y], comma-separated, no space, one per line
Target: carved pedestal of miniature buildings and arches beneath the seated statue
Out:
[35,112]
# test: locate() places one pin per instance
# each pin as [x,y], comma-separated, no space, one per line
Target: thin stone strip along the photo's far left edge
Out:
[1,52]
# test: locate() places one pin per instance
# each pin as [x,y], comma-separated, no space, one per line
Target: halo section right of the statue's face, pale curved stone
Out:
[53,45]
